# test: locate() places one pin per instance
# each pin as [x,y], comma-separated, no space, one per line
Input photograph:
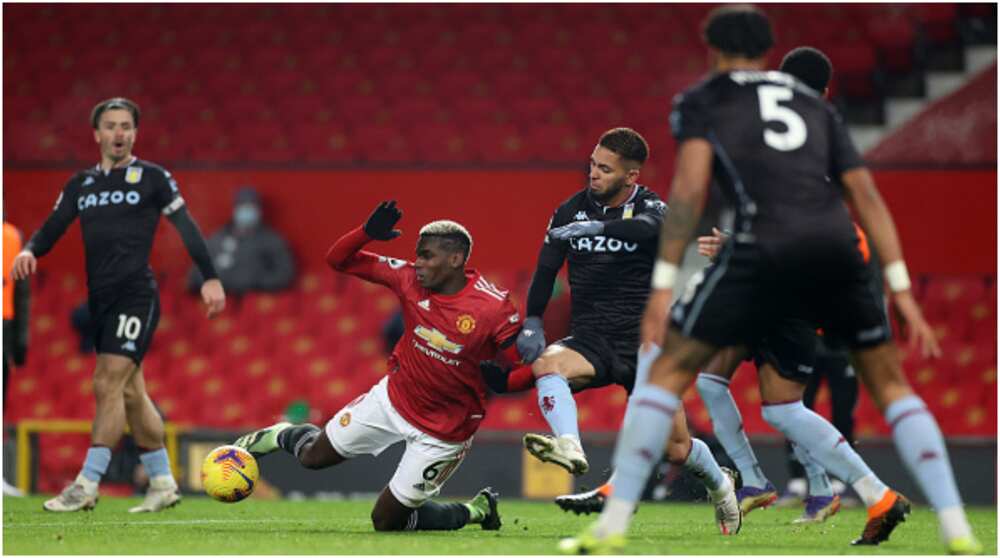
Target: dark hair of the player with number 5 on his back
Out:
[739,30]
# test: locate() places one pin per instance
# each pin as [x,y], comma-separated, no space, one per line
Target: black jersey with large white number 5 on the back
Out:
[775,142]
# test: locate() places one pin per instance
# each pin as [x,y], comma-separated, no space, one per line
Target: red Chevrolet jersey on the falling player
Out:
[434,378]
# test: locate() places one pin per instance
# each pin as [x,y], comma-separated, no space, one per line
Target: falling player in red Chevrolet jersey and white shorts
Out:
[433,397]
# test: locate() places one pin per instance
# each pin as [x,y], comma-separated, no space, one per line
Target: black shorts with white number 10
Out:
[125,319]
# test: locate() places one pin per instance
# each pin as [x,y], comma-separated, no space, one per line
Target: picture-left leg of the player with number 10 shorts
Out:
[110,376]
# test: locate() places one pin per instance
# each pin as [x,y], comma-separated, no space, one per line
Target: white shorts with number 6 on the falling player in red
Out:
[369,424]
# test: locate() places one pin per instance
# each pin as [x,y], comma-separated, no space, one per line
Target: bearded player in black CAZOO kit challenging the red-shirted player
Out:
[608,234]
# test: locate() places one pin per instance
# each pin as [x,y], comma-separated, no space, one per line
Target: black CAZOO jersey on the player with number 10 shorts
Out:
[119,211]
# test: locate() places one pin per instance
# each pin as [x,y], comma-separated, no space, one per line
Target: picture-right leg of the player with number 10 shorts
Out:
[147,430]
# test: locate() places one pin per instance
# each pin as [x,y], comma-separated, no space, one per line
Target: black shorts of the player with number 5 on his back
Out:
[745,294]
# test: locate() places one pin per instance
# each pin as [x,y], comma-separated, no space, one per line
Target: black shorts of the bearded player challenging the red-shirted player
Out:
[614,362]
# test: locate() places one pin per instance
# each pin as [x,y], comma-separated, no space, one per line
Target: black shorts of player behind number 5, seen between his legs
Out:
[792,348]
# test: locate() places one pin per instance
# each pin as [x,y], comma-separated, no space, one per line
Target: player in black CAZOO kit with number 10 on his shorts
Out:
[119,202]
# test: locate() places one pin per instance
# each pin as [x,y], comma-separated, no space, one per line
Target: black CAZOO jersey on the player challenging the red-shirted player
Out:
[609,276]
